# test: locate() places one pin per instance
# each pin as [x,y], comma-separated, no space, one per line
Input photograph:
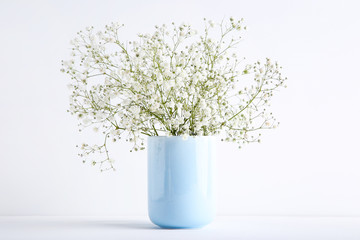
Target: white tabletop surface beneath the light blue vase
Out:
[230,227]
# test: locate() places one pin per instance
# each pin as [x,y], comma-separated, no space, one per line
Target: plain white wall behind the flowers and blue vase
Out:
[309,166]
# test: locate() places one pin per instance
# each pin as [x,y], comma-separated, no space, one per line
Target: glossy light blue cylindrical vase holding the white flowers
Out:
[181,190]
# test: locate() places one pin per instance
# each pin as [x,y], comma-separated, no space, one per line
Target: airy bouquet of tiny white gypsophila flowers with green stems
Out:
[172,82]
